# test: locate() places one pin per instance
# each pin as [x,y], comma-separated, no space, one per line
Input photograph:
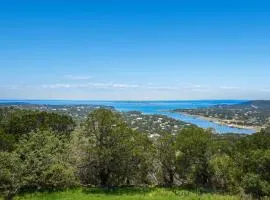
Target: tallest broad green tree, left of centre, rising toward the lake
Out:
[115,151]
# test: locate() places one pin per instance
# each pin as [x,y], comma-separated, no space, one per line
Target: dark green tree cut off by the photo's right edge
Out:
[253,156]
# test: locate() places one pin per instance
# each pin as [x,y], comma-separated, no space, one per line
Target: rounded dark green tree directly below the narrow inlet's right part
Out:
[192,145]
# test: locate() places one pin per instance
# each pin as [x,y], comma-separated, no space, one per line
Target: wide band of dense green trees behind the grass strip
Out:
[42,151]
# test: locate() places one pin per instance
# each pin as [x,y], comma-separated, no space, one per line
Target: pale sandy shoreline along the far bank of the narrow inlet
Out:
[222,122]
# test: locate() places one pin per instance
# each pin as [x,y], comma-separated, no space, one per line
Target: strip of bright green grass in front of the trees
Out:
[125,194]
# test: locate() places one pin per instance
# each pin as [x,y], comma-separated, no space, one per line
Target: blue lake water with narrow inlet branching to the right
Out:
[155,107]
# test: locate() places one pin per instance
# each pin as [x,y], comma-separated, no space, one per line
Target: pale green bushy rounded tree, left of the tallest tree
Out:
[45,159]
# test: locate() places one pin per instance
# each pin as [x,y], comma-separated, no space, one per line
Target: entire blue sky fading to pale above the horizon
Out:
[130,50]
